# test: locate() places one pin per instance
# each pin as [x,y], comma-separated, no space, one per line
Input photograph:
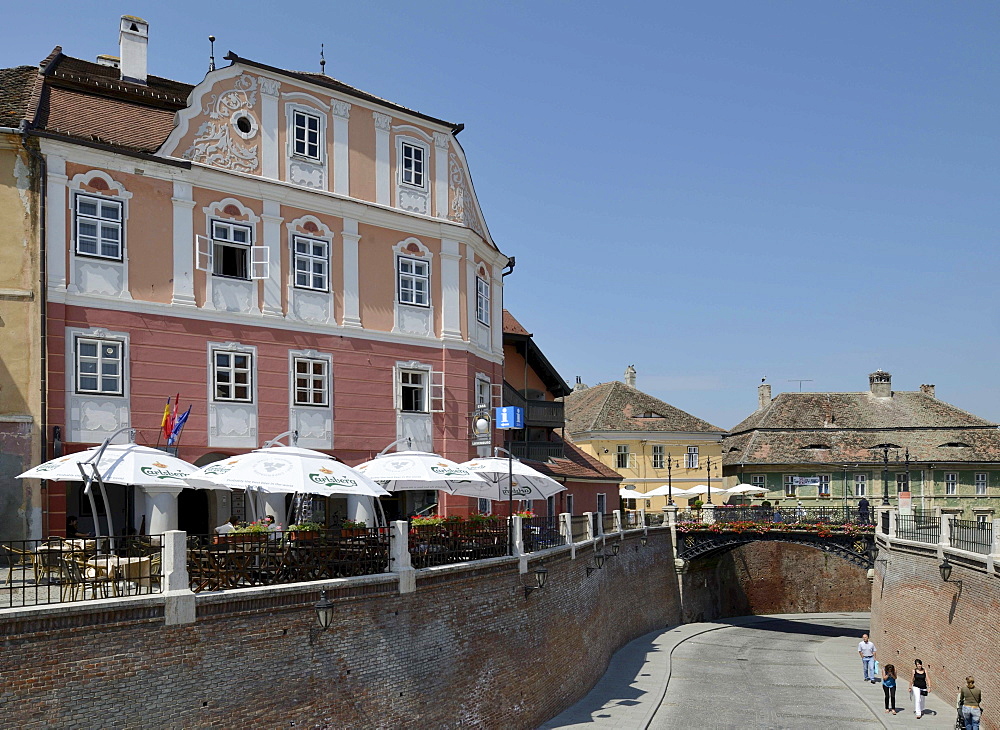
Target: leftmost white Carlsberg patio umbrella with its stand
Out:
[129,464]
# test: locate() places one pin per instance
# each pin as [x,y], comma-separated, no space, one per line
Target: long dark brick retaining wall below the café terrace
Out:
[467,649]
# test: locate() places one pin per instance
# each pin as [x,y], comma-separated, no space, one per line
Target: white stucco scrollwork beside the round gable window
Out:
[215,142]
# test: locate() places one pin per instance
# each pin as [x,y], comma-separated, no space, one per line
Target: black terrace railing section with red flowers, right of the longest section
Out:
[456,542]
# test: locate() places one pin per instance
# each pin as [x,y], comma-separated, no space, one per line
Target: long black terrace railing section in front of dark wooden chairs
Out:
[241,560]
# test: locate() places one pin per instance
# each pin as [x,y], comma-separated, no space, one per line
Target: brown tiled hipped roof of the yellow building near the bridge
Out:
[618,407]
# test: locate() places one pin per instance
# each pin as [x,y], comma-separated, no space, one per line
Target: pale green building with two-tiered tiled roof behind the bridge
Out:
[835,448]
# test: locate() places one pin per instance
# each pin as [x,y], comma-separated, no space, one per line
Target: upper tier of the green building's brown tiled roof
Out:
[904,409]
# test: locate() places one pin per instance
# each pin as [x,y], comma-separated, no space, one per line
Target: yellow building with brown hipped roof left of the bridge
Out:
[647,441]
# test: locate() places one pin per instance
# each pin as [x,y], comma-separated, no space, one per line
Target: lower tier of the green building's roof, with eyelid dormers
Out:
[981,444]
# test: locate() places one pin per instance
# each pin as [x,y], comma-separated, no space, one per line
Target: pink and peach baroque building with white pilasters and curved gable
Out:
[278,248]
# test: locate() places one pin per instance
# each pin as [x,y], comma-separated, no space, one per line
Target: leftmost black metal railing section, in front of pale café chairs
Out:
[40,572]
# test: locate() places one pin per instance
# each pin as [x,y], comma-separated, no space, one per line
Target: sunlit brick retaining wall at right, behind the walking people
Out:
[952,627]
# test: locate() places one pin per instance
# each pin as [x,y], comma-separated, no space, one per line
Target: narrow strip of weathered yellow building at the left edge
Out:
[22,361]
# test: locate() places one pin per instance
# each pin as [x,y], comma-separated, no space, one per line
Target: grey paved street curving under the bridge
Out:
[790,671]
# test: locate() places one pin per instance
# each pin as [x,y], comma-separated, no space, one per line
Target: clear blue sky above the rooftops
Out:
[715,192]
